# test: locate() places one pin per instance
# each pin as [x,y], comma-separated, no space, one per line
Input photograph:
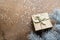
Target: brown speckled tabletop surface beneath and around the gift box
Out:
[15,16]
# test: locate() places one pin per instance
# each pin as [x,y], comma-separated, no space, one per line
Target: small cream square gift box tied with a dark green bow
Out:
[41,21]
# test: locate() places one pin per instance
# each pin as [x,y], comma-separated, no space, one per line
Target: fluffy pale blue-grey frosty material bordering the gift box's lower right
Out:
[52,34]
